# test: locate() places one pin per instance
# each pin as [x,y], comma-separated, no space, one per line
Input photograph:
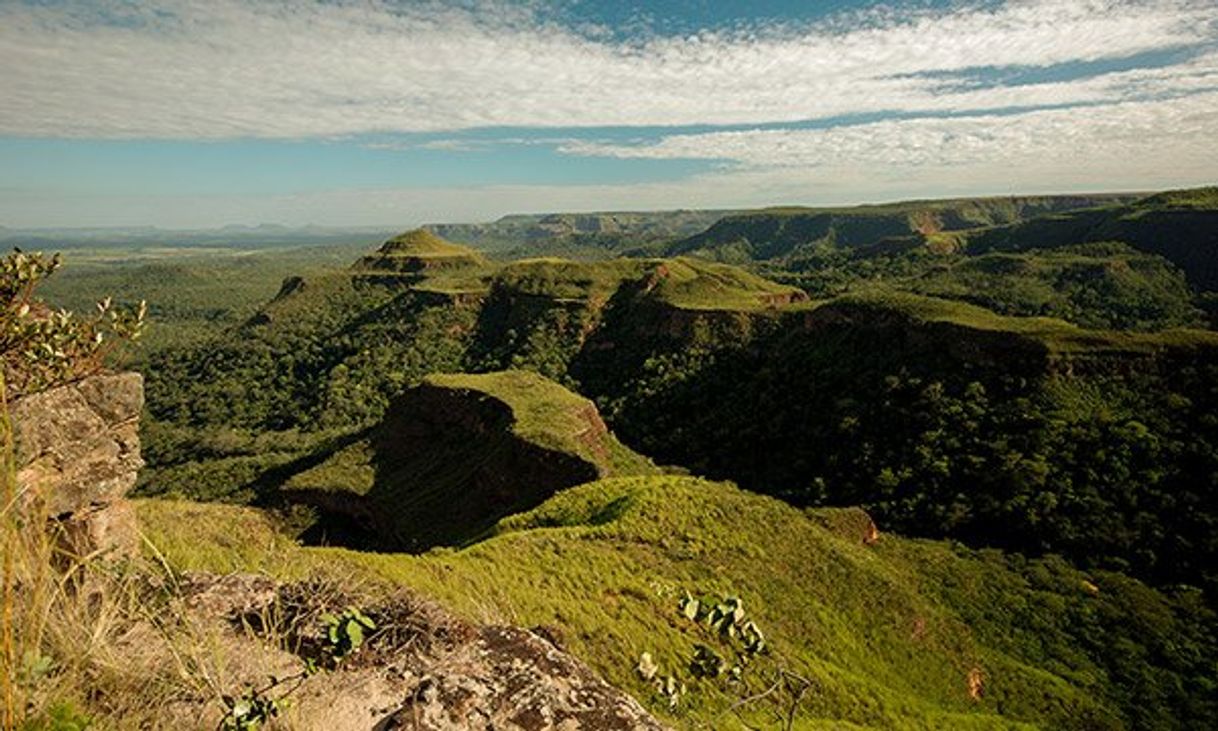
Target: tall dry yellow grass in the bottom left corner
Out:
[96,641]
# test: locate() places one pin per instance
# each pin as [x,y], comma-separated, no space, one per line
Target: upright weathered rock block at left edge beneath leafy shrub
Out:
[79,454]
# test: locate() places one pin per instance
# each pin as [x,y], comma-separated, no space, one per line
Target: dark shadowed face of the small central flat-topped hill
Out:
[446,470]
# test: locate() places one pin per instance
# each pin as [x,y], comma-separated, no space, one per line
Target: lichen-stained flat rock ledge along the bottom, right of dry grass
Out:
[423,669]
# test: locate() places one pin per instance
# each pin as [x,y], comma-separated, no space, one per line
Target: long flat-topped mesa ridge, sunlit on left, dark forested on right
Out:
[1027,433]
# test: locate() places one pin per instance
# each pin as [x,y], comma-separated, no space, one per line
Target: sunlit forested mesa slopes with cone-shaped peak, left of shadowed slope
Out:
[326,356]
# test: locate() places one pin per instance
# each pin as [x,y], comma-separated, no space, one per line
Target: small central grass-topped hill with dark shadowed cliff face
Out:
[456,454]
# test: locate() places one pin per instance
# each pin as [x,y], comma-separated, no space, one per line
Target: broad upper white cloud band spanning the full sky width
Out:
[224,69]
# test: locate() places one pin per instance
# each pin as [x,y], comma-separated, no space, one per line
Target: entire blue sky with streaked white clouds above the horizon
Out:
[197,114]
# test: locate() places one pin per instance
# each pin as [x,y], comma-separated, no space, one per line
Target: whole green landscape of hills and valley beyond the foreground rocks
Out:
[956,457]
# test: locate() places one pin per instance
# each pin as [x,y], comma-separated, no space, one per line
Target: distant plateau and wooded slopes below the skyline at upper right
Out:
[1120,263]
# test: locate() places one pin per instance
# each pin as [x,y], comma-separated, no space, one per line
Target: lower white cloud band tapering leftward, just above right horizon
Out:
[1175,135]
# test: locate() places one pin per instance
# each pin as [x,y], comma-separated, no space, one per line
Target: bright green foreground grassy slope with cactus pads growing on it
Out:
[885,637]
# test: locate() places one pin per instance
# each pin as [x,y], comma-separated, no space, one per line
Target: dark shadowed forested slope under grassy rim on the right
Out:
[948,420]
